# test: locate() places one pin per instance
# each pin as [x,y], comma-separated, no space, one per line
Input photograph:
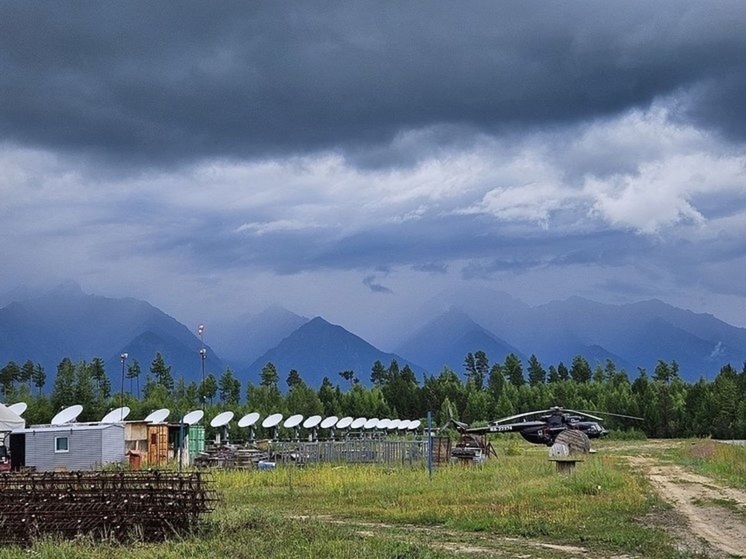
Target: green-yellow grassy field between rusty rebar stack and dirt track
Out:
[516,505]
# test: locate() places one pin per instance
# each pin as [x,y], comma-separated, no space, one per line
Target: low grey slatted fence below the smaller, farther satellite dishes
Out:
[393,453]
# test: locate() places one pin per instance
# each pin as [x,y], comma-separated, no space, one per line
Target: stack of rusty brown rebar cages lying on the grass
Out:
[122,506]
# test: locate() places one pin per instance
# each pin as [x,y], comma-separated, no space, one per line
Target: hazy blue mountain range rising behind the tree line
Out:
[66,322]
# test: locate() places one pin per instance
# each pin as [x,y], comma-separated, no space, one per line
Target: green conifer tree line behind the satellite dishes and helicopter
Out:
[669,405]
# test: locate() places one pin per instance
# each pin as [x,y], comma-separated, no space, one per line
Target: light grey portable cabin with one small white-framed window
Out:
[68,447]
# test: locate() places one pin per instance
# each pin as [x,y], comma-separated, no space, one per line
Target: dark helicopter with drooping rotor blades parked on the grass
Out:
[547,425]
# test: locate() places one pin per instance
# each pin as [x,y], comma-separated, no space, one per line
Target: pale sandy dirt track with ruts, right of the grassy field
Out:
[714,520]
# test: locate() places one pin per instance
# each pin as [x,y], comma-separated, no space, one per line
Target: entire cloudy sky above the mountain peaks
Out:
[359,160]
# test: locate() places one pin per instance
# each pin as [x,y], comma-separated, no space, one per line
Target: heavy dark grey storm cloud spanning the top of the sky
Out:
[159,82]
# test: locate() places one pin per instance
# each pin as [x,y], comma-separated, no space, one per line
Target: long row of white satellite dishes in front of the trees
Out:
[117,415]
